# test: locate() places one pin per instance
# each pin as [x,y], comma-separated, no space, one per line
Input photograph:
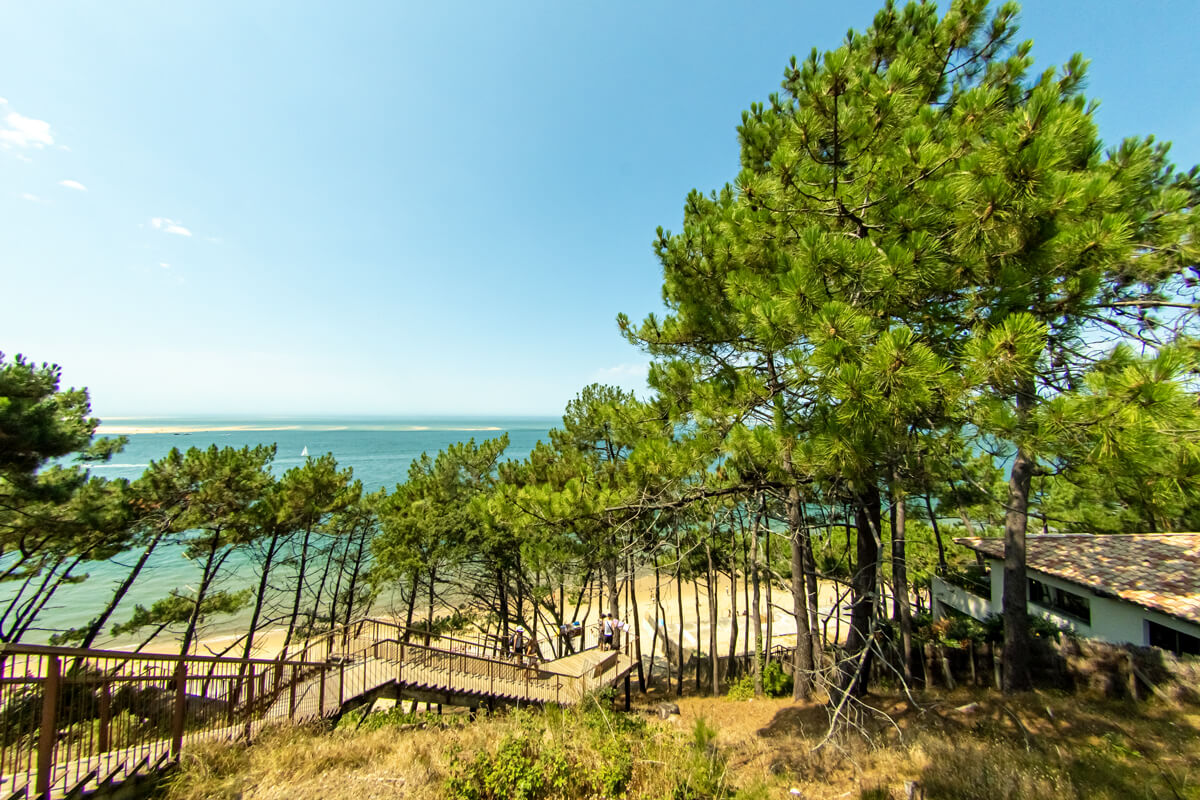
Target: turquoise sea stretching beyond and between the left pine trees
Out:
[379,450]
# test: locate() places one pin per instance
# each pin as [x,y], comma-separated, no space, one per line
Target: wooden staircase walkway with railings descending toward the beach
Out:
[74,719]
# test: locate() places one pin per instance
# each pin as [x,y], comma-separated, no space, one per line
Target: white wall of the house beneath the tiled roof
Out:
[1112,619]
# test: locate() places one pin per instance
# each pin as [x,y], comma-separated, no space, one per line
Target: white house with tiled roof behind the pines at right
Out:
[1137,588]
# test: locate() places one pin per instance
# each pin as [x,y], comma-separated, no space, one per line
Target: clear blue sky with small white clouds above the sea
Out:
[398,209]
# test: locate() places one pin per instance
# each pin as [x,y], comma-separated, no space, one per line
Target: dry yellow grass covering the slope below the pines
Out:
[1040,745]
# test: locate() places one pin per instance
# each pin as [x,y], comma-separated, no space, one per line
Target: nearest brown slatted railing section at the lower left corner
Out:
[71,719]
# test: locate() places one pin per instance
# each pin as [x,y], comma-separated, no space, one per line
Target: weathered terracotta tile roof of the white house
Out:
[1160,572]
